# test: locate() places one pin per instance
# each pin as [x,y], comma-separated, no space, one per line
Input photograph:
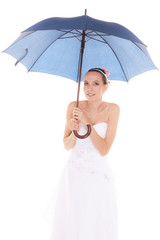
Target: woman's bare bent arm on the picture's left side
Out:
[69,137]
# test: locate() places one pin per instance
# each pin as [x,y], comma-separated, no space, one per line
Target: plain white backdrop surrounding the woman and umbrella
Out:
[32,120]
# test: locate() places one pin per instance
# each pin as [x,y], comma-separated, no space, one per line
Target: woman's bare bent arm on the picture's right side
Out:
[104,145]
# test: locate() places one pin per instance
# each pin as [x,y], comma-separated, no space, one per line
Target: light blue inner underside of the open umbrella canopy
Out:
[57,52]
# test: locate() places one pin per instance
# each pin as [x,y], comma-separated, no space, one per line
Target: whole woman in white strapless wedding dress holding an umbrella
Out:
[86,203]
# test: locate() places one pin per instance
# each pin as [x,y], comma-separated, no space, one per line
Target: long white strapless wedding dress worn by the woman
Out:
[86,207]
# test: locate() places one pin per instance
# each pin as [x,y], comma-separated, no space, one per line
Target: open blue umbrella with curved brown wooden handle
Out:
[59,46]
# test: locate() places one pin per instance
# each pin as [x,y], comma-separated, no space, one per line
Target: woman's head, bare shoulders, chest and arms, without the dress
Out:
[93,111]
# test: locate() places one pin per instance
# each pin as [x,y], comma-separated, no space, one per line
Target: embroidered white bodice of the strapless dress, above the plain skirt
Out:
[84,155]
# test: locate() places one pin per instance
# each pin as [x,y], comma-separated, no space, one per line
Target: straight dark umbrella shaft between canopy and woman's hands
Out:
[80,65]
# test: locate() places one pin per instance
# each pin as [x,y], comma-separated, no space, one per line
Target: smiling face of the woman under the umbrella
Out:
[94,87]
